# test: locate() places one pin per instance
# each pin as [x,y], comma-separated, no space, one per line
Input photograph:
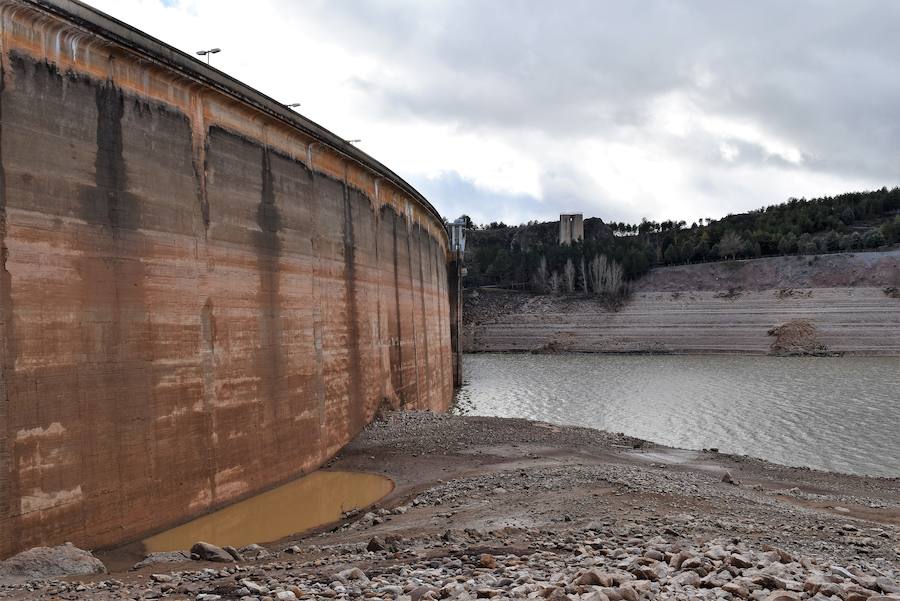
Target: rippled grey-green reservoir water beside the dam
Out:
[831,413]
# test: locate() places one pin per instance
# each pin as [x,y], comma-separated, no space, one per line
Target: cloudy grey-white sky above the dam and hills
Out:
[516,110]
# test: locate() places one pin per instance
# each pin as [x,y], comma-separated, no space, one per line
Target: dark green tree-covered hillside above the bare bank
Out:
[610,255]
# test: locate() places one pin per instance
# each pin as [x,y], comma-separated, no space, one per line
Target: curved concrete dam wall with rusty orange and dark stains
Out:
[202,294]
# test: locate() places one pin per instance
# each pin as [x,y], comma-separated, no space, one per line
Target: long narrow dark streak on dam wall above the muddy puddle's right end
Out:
[357,400]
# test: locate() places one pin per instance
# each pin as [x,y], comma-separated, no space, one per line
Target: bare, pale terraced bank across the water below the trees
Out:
[845,304]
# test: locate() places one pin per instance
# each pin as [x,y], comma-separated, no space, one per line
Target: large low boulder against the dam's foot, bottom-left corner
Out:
[51,562]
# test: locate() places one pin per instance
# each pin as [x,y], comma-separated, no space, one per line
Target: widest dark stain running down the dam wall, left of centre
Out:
[115,380]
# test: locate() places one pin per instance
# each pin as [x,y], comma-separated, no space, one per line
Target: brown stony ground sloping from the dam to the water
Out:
[497,508]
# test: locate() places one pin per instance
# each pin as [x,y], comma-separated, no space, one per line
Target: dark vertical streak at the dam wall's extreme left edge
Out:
[7,350]
